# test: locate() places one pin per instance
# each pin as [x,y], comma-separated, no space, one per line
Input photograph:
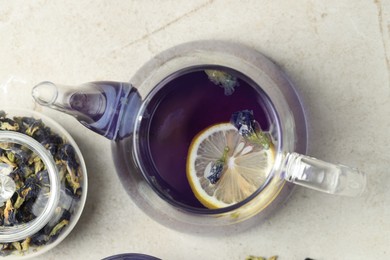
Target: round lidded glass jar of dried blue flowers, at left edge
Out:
[43,183]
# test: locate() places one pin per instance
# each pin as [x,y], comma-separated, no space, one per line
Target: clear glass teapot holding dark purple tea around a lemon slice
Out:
[153,121]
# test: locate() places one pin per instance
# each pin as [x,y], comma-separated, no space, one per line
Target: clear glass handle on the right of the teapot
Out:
[323,176]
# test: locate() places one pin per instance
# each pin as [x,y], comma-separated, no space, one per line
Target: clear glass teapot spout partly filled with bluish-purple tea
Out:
[107,108]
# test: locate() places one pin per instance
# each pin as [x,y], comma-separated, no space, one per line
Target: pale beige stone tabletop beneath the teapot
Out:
[336,52]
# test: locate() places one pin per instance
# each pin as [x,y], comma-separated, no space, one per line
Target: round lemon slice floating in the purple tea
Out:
[246,166]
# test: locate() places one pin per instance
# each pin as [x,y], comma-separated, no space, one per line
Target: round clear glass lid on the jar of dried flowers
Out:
[29,186]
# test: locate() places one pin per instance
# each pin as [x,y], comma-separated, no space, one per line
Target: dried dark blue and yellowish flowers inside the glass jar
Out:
[32,182]
